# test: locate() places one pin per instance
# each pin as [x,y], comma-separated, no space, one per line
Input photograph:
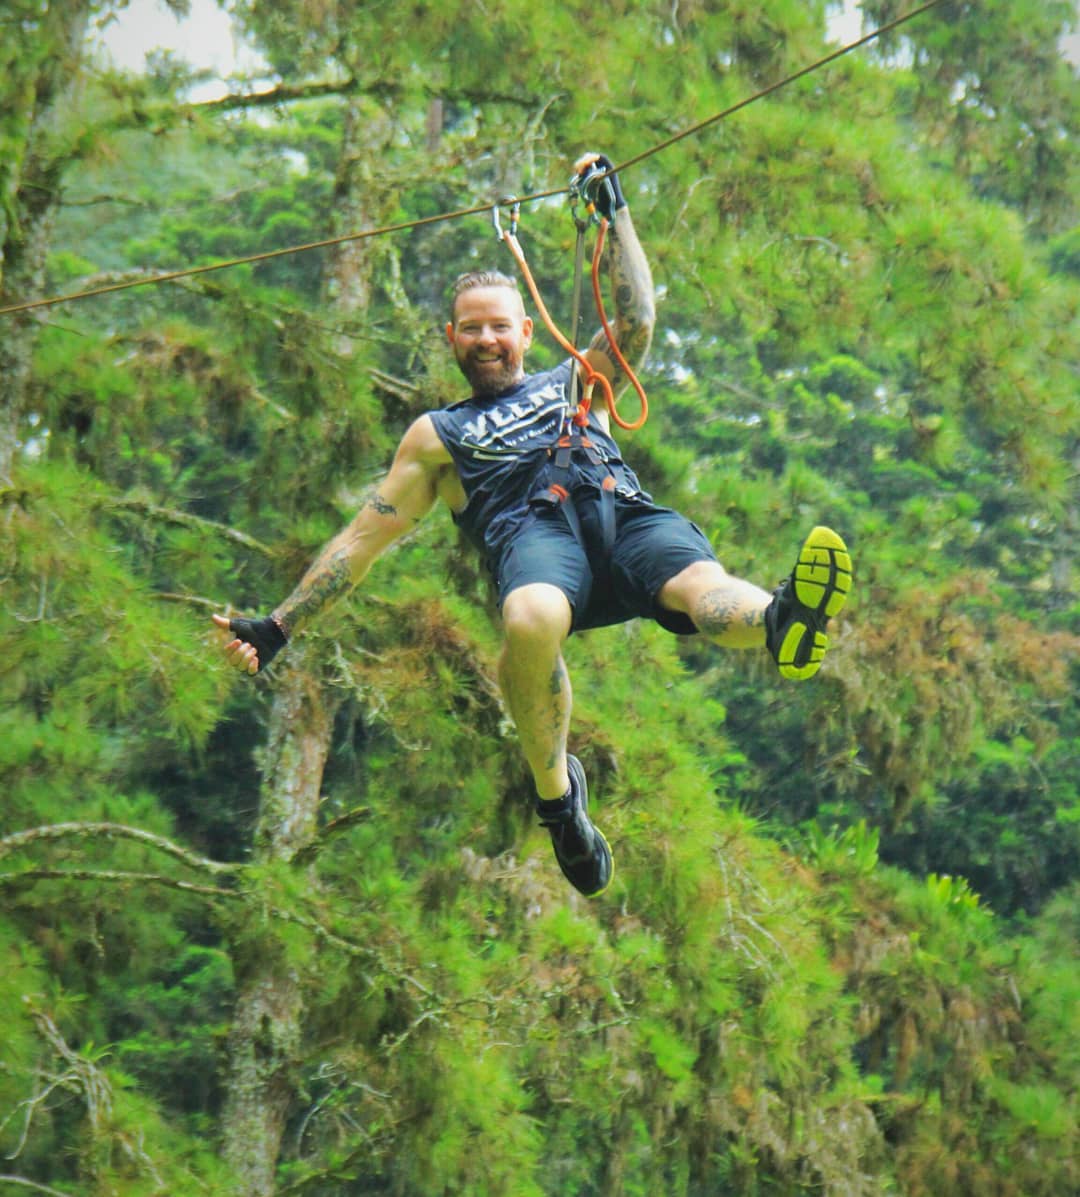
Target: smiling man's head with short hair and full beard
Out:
[489,336]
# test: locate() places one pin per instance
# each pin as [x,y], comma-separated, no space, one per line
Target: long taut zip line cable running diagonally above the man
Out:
[480,209]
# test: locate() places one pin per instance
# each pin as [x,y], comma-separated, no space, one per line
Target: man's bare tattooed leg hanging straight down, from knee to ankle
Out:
[536,684]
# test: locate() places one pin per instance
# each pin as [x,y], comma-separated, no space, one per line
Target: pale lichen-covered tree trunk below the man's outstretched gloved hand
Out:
[265,1043]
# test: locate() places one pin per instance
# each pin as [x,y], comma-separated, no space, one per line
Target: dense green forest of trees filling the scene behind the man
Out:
[300,934]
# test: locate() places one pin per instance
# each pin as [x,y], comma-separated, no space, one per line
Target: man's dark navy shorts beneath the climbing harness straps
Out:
[652,546]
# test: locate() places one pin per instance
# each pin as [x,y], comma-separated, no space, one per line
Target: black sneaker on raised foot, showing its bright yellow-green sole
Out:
[805,603]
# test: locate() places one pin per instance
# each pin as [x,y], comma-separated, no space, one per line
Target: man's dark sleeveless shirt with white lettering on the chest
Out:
[501,446]
